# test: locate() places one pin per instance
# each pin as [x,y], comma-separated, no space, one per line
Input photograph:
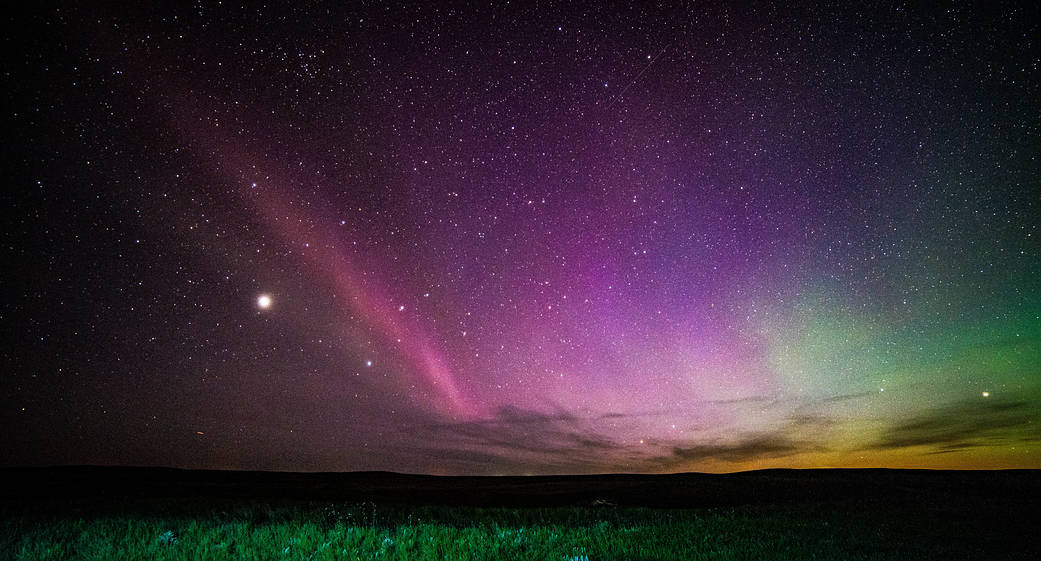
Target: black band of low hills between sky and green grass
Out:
[1018,489]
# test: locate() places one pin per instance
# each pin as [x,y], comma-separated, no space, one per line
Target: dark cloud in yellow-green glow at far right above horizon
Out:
[966,426]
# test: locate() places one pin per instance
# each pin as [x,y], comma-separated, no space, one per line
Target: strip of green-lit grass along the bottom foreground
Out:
[173,530]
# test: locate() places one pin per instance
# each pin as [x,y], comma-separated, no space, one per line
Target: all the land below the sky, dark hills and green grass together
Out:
[151,514]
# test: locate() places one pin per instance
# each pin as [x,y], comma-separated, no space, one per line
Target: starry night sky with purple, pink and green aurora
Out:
[523,240]
